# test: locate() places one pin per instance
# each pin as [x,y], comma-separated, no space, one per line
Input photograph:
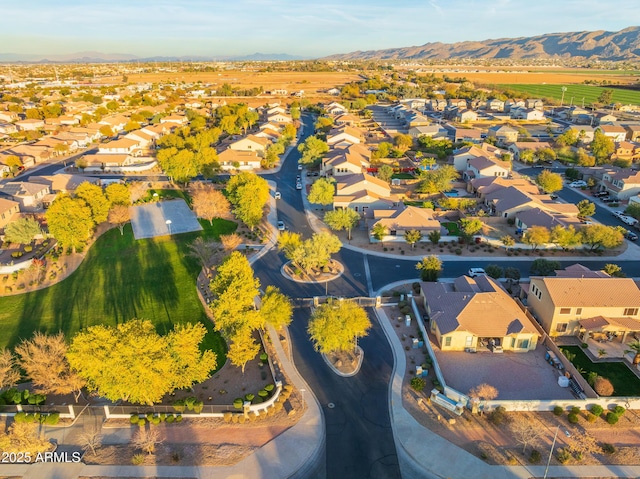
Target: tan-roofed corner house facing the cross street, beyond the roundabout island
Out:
[406,218]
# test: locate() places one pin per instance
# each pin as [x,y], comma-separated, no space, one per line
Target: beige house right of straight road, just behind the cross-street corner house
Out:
[363,193]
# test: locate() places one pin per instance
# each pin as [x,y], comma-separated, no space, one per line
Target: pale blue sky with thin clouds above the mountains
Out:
[310,29]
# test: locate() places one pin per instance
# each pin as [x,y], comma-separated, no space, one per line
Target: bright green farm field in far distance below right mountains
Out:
[590,93]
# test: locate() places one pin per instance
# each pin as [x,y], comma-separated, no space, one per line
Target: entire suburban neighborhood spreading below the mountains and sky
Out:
[315,268]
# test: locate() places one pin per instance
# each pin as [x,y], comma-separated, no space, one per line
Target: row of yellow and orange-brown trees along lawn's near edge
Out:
[128,362]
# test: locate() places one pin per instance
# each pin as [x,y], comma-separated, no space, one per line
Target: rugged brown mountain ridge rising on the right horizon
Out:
[600,45]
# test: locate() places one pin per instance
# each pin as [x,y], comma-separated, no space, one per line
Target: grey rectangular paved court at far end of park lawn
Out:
[163,218]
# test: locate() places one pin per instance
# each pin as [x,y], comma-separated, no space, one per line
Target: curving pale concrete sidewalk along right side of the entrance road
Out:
[424,454]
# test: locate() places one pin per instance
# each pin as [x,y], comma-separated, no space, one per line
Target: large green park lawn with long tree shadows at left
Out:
[120,279]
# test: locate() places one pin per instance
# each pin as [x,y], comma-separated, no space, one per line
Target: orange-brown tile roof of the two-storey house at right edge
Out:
[592,292]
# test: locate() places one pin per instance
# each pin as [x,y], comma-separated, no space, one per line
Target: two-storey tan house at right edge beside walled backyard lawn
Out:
[578,302]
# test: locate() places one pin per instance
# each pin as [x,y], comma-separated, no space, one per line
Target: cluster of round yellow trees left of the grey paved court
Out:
[72,219]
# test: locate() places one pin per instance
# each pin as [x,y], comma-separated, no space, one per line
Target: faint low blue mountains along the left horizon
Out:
[99,57]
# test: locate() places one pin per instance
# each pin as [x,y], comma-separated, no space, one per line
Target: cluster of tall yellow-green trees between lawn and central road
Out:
[235,289]
